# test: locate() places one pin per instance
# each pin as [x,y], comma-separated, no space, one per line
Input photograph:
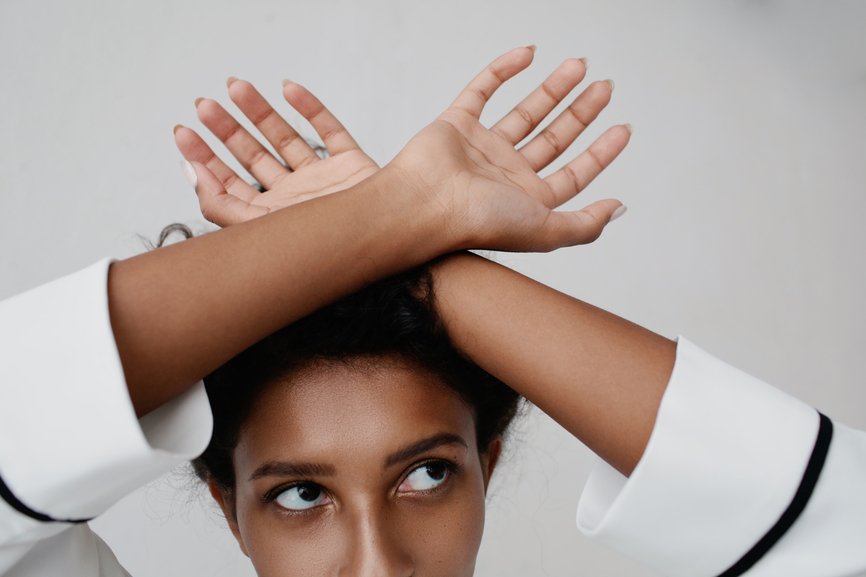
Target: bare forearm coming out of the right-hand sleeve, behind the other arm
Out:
[598,375]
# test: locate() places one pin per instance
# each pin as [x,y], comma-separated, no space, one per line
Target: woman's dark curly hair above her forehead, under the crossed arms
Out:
[394,317]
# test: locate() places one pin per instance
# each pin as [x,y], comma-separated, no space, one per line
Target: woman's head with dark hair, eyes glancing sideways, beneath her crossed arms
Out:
[357,440]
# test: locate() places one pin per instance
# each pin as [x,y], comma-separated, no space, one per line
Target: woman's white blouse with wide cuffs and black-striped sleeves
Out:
[737,478]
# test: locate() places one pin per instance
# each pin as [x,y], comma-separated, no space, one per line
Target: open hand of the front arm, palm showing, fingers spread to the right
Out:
[493,192]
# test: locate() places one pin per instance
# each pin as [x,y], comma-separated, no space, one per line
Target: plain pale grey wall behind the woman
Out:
[744,181]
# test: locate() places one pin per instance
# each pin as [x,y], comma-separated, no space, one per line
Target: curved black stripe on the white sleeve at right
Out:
[798,504]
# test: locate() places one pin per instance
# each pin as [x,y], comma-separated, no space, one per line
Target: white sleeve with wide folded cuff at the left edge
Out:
[70,443]
